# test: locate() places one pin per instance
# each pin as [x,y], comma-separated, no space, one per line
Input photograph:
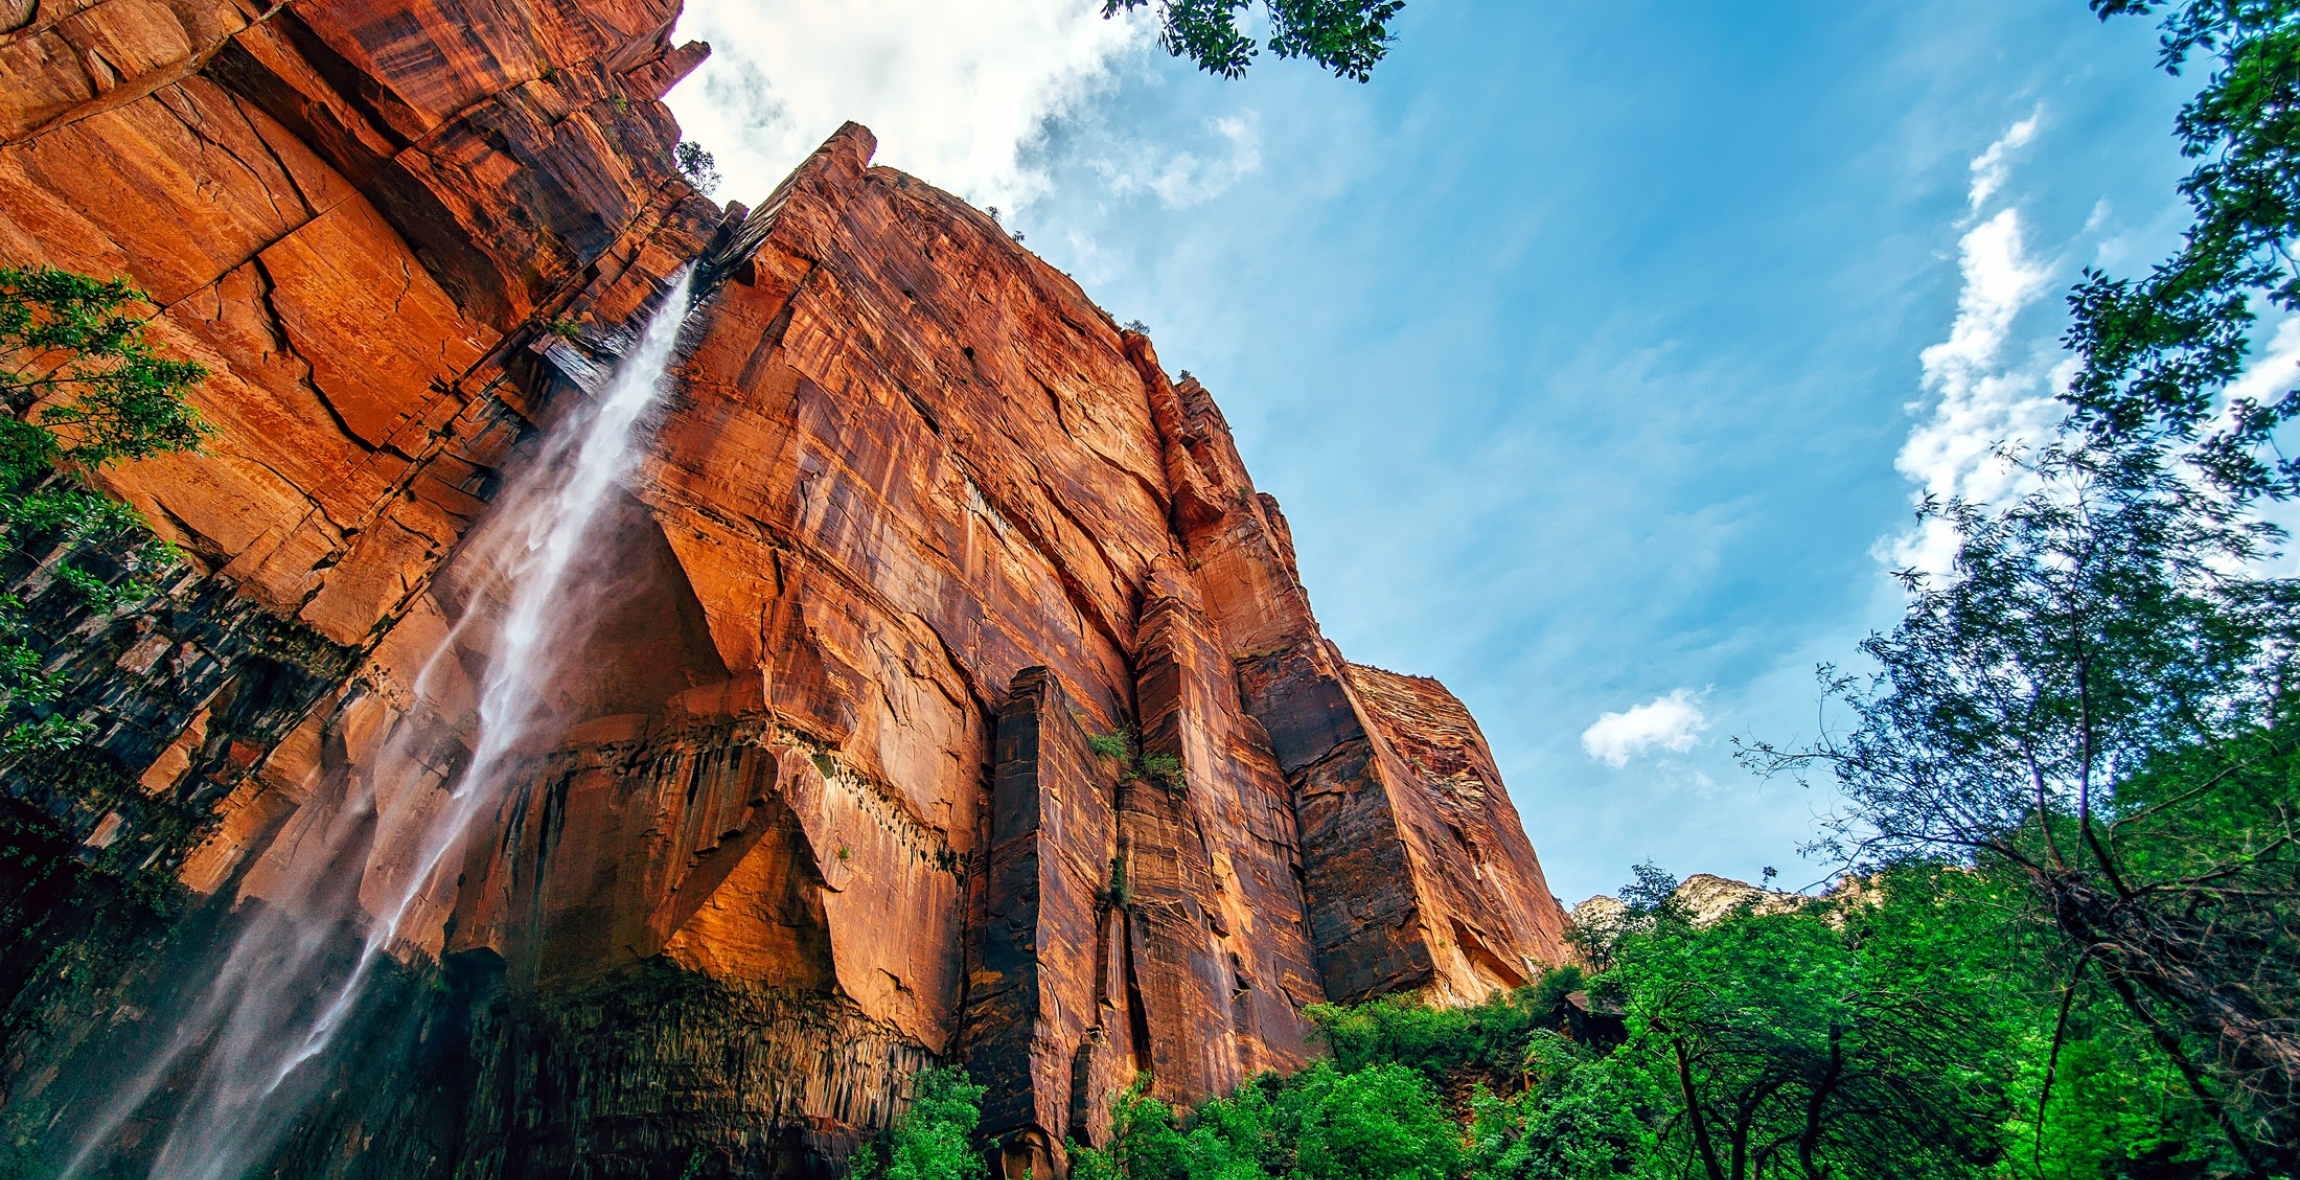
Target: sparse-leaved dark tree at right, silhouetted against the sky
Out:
[2085,703]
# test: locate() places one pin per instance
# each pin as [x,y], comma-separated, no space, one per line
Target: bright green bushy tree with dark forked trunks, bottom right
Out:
[1811,1043]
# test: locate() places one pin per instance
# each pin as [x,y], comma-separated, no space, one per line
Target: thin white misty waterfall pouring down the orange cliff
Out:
[286,986]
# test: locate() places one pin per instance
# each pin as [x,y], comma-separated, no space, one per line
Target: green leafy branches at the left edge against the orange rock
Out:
[82,390]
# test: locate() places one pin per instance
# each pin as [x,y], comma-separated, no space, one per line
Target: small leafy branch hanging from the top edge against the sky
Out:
[1349,38]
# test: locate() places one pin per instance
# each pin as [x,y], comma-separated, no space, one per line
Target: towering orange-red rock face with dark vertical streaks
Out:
[960,705]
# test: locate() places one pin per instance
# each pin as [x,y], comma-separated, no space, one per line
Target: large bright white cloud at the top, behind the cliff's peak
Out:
[953,91]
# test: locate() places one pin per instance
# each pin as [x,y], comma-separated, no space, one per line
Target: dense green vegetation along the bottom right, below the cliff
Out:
[1915,1025]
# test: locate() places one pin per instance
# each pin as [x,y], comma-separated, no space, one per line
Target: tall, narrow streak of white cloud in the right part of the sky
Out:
[1981,397]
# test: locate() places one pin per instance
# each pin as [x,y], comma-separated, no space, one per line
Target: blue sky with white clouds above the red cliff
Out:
[1595,351]
